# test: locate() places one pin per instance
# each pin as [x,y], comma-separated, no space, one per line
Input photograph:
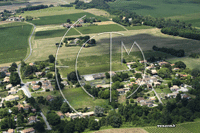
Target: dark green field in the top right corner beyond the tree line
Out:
[155,8]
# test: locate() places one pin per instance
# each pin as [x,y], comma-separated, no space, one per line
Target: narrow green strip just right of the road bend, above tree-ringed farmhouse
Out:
[54,33]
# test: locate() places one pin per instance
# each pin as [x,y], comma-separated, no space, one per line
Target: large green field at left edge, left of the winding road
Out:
[14,41]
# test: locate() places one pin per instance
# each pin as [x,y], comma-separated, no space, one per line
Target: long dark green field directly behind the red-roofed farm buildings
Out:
[59,19]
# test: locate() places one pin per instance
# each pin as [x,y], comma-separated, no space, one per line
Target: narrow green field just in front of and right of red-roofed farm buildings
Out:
[100,28]
